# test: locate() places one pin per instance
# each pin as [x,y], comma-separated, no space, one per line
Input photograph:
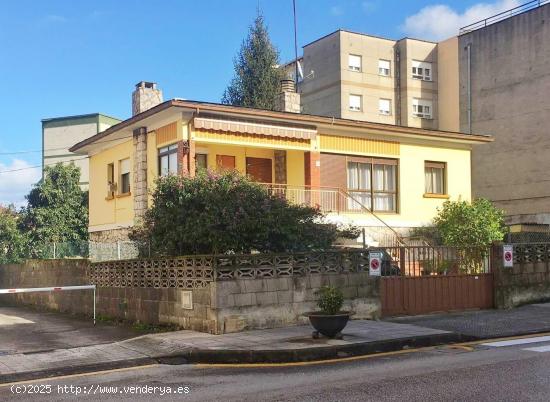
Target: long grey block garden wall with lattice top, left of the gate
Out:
[215,294]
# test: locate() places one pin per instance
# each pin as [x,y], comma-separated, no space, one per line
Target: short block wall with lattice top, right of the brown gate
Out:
[528,281]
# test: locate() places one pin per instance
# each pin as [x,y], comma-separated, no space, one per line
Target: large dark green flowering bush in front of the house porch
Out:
[227,213]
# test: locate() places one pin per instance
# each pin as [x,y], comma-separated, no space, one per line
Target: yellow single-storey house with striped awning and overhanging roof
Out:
[375,175]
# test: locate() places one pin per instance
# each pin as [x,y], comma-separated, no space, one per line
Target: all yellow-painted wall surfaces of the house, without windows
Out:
[413,208]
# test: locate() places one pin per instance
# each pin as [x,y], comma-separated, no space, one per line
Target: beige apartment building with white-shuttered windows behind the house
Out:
[355,76]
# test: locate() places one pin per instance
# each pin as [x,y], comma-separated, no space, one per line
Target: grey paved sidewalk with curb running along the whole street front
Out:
[290,344]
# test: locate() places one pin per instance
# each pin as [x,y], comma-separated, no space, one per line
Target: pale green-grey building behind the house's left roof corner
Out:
[61,133]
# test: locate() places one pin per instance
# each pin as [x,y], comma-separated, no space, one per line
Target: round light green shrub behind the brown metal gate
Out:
[464,224]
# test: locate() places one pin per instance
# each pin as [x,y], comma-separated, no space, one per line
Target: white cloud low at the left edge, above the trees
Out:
[15,185]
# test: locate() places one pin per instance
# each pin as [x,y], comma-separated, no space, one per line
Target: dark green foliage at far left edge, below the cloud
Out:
[12,242]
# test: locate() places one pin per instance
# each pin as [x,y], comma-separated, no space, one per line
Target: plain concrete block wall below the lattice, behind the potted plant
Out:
[277,302]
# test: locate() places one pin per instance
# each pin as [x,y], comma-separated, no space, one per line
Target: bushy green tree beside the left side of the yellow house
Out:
[57,208]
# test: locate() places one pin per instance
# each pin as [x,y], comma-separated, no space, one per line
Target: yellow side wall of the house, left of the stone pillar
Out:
[118,210]
